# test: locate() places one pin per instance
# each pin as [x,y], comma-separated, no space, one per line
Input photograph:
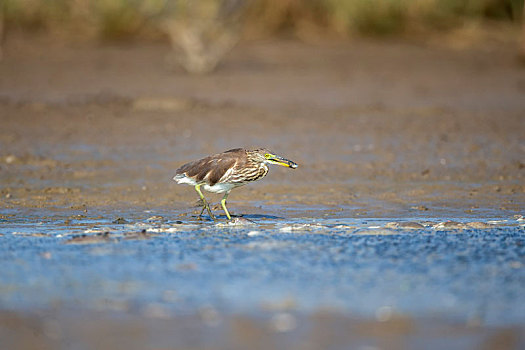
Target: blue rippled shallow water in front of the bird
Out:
[367,267]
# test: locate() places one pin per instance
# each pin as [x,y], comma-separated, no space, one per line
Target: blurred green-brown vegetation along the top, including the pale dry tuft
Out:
[204,31]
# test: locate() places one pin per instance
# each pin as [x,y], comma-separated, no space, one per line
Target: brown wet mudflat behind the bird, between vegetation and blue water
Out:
[383,127]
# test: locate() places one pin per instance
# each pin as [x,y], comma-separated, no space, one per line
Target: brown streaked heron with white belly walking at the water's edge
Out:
[222,172]
